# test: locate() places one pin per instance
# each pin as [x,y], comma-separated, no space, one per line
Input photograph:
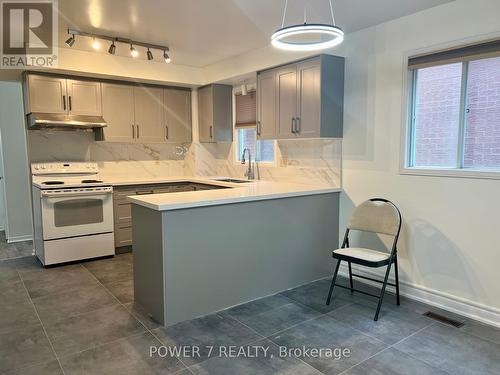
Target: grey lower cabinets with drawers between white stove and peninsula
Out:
[122,210]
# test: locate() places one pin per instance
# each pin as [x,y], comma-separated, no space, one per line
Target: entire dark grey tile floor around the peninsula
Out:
[81,319]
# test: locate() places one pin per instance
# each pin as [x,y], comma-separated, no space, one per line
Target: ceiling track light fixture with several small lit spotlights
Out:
[134,52]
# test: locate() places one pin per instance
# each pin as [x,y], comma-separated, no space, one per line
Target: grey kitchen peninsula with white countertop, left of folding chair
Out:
[252,240]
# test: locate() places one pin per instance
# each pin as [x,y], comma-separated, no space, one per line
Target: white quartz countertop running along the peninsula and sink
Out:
[244,192]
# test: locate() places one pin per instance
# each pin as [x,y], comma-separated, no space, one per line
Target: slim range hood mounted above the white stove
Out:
[38,120]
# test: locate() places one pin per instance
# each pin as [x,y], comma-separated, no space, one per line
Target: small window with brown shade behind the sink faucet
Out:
[246,130]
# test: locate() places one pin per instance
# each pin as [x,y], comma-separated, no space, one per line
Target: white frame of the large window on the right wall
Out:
[409,82]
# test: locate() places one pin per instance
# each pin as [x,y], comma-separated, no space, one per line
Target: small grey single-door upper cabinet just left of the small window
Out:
[215,113]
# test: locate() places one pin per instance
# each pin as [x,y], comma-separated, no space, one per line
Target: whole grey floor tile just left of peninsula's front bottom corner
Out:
[89,330]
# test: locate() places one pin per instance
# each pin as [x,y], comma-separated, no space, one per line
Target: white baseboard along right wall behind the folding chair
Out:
[445,301]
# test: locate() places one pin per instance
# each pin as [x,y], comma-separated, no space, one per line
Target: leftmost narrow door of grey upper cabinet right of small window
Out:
[266,105]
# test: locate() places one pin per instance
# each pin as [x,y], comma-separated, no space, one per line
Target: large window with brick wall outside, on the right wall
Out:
[454,112]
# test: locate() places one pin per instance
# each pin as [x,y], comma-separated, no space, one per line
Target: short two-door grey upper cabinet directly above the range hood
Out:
[48,94]
